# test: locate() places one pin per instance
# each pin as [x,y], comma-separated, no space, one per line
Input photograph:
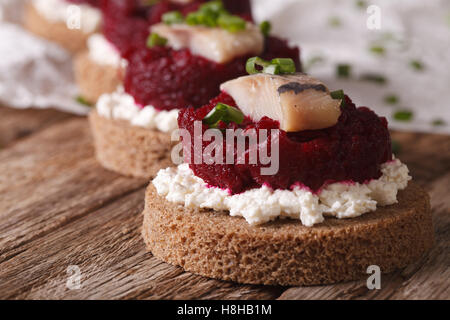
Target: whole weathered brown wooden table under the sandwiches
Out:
[59,208]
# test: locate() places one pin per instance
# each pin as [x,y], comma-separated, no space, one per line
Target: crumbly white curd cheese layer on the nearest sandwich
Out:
[341,200]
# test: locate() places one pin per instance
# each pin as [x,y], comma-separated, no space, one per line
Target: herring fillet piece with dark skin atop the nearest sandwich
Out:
[298,101]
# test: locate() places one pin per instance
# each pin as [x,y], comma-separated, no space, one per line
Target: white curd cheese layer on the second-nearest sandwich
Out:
[120,105]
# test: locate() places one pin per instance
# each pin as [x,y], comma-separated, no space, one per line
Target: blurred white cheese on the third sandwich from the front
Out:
[102,52]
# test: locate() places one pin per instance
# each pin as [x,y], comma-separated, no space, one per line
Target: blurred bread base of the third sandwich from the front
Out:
[94,79]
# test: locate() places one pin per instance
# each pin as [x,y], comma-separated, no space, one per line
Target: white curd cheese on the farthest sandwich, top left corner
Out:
[58,11]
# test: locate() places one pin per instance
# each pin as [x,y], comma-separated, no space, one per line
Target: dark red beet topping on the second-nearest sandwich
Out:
[169,79]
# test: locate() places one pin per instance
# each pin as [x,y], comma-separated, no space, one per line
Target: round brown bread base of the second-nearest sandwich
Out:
[130,150]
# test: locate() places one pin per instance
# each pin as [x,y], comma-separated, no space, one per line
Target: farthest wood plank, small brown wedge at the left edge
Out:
[16,123]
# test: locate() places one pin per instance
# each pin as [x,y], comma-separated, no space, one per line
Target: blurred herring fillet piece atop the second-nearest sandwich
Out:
[215,44]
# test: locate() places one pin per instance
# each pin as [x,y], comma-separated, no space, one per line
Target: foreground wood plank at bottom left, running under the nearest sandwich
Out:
[107,246]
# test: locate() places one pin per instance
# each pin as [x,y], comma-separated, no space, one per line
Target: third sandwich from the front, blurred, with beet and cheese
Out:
[126,25]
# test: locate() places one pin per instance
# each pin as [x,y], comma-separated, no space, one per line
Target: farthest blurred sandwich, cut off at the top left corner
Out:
[61,22]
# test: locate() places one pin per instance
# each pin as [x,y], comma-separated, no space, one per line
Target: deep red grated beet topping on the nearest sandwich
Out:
[352,150]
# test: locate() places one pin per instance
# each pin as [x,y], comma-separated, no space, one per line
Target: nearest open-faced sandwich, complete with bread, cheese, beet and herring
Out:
[286,183]
